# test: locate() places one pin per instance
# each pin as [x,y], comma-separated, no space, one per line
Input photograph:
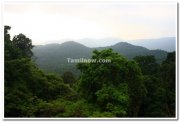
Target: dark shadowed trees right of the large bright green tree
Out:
[159,81]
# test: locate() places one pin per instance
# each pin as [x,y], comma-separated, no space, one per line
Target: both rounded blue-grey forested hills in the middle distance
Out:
[53,57]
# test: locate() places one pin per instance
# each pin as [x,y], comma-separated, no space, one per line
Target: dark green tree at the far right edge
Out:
[168,74]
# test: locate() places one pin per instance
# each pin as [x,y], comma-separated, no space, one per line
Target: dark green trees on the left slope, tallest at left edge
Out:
[27,88]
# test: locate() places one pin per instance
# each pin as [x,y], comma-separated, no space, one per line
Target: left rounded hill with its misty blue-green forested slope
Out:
[53,57]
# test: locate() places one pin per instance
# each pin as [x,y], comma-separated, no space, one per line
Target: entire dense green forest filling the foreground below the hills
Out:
[138,87]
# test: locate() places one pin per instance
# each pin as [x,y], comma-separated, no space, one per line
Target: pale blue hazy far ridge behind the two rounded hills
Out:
[166,43]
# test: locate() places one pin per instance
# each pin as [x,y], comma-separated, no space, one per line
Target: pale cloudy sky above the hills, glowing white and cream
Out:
[47,22]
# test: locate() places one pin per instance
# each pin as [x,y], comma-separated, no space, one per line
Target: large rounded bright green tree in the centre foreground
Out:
[116,87]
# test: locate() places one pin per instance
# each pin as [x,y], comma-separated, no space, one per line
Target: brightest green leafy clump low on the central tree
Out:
[114,100]
